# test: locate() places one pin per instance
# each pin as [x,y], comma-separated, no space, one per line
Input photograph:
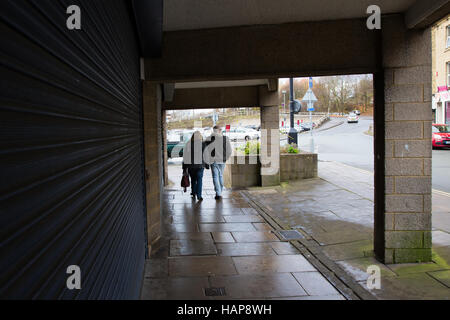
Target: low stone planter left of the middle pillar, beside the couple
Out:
[242,172]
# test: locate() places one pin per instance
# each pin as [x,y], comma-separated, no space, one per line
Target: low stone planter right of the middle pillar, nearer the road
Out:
[298,166]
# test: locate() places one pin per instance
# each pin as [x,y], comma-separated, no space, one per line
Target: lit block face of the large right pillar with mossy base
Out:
[407,95]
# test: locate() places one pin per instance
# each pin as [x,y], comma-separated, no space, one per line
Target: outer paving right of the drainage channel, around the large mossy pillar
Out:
[336,212]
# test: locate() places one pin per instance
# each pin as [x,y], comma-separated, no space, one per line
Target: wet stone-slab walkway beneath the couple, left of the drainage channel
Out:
[225,245]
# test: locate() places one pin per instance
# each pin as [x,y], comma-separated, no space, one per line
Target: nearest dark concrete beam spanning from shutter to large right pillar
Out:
[254,52]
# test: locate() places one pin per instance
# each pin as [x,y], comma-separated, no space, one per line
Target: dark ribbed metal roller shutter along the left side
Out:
[71,157]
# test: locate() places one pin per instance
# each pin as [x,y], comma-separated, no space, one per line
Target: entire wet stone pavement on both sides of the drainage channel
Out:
[232,248]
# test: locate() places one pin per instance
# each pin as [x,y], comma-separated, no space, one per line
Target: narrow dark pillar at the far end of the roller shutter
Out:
[153,159]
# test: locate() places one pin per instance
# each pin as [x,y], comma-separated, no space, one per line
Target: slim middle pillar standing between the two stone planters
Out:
[270,137]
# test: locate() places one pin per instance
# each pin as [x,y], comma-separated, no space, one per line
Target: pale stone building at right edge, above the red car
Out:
[441,71]
